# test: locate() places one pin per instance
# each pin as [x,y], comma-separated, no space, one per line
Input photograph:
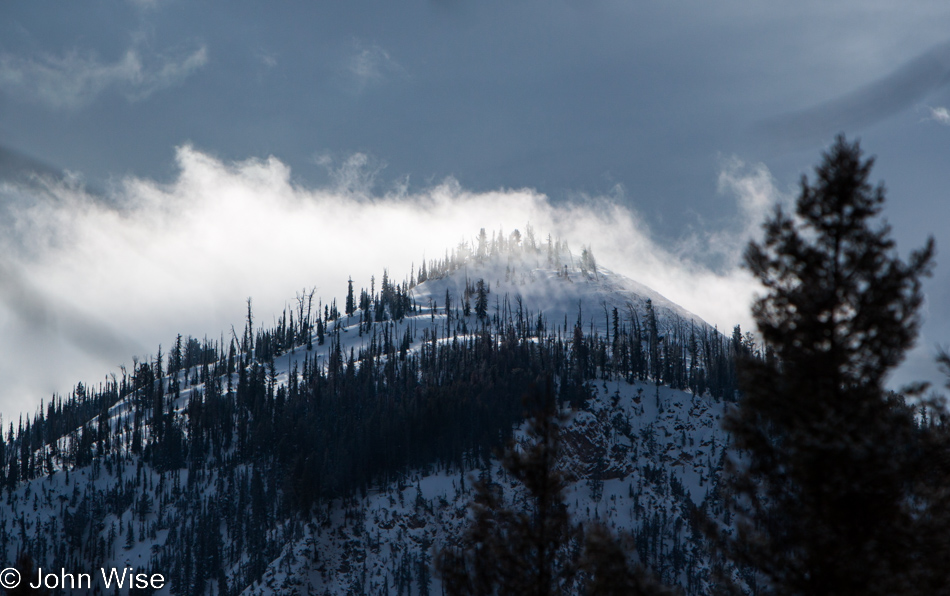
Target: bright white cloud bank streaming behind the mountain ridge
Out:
[86,284]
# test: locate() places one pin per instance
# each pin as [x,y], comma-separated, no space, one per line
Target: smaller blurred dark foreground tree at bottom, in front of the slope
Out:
[537,550]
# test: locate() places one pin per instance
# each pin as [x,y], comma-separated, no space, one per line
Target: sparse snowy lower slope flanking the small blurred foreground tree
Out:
[657,459]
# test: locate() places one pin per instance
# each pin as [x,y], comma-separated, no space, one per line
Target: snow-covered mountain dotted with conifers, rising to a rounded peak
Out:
[336,452]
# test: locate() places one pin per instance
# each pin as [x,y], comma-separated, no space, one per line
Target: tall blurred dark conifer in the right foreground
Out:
[830,481]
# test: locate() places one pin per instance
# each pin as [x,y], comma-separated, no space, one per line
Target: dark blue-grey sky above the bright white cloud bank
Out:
[640,101]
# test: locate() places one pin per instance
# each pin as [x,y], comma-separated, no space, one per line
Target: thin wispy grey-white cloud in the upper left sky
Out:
[75,79]
